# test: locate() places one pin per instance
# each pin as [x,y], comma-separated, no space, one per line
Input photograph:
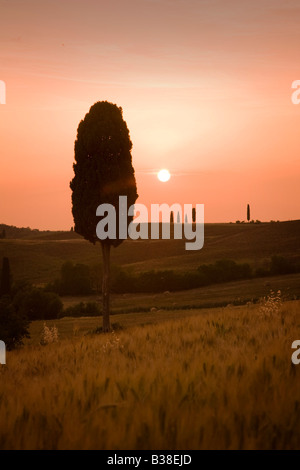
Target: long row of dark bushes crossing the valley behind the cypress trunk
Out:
[80,279]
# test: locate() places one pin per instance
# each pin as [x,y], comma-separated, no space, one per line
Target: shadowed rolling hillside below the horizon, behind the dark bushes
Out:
[38,255]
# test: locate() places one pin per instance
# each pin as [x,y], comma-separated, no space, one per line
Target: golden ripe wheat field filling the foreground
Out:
[219,379]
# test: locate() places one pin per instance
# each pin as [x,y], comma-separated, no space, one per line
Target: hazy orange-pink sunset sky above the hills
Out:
[205,87]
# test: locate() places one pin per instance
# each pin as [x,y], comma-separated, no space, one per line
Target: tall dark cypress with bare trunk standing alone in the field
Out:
[103,172]
